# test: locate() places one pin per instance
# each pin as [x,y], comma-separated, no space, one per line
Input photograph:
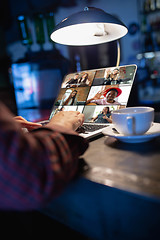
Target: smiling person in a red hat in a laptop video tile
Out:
[109,96]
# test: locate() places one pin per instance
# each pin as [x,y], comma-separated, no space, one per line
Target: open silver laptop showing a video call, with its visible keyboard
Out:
[95,93]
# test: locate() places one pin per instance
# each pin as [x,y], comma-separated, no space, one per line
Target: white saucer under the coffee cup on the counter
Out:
[153,132]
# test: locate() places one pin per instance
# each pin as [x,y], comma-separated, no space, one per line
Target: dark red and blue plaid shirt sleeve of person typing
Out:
[35,167]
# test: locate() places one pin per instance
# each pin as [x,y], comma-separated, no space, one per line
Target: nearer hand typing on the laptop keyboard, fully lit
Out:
[68,119]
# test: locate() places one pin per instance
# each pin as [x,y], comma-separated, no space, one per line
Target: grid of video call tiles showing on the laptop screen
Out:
[78,88]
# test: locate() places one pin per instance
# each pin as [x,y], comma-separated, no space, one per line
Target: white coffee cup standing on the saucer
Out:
[133,120]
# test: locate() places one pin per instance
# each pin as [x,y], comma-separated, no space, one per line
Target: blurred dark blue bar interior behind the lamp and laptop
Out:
[32,66]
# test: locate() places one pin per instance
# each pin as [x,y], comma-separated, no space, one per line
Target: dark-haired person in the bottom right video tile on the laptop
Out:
[103,117]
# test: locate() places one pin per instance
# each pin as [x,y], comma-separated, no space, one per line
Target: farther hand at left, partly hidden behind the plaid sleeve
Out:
[26,124]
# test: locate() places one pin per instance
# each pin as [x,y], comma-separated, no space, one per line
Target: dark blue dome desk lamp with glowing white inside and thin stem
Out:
[89,27]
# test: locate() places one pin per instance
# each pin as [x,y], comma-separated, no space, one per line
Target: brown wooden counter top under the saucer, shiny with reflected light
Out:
[127,166]
